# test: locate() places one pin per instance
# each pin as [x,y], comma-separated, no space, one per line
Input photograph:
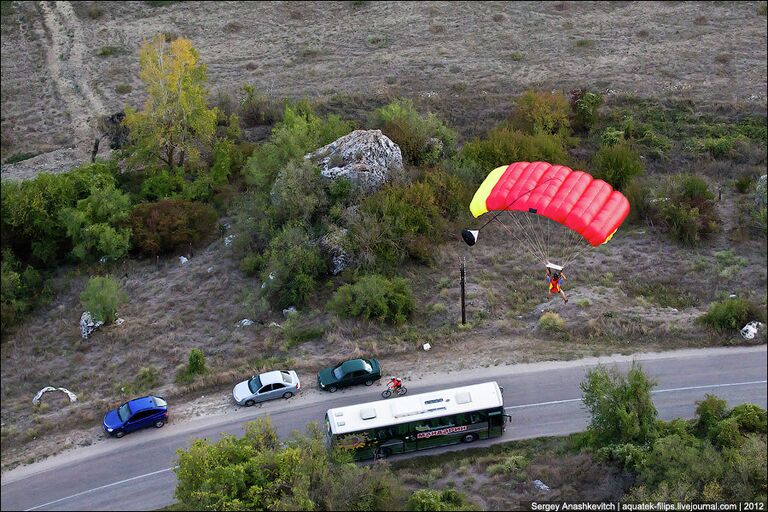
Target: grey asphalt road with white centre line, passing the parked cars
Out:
[135,473]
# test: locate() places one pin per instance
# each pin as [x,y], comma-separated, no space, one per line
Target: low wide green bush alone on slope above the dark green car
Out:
[374,297]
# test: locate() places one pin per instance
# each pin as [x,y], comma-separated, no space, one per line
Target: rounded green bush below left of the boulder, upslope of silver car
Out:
[293,266]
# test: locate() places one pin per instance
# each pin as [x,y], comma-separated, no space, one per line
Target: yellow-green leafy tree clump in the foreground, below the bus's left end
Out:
[256,472]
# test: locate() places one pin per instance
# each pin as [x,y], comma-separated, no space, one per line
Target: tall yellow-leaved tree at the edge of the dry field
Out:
[176,118]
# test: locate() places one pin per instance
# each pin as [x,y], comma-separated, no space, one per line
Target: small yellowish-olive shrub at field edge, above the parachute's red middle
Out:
[542,112]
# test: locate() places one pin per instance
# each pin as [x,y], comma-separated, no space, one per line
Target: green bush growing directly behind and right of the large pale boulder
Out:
[424,140]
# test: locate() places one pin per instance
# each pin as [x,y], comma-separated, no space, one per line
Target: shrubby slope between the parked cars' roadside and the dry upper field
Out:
[198,181]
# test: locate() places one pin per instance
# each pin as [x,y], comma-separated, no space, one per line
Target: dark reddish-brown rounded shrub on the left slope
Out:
[170,225]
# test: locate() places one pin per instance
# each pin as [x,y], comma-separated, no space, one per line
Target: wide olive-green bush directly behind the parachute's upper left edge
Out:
[502,146]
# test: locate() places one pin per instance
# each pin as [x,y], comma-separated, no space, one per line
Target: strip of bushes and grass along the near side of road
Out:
[627,454]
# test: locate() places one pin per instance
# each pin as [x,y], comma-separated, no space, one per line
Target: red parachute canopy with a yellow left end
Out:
[588,206]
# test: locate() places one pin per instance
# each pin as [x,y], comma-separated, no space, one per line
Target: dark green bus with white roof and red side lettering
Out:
[418,422]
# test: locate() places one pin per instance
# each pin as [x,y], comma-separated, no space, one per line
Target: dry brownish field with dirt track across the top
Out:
[466,59]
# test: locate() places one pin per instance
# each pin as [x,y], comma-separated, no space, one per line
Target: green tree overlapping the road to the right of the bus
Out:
[621,407]
